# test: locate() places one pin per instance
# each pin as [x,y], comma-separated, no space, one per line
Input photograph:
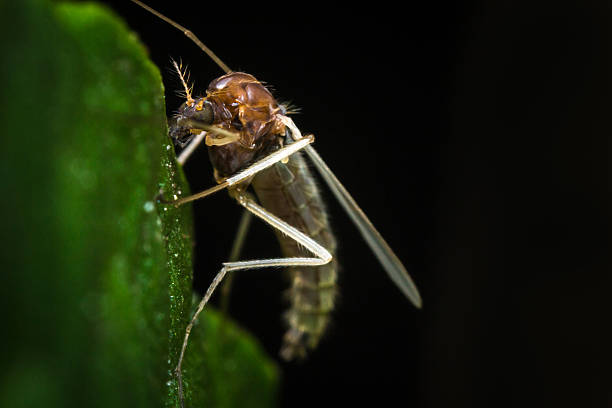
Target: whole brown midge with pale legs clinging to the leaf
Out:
[252,142]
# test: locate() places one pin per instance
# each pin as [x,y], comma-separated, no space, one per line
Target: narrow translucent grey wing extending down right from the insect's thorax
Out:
[396,271]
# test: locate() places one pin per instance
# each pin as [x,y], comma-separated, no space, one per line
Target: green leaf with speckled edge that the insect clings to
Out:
[97,288]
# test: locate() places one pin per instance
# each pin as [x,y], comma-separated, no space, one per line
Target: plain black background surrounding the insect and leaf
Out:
[475,136]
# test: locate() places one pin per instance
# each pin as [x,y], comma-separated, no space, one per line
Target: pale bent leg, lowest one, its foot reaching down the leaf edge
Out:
[322,257]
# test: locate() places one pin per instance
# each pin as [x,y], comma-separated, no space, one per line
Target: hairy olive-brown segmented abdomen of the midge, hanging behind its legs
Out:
[289,192]
